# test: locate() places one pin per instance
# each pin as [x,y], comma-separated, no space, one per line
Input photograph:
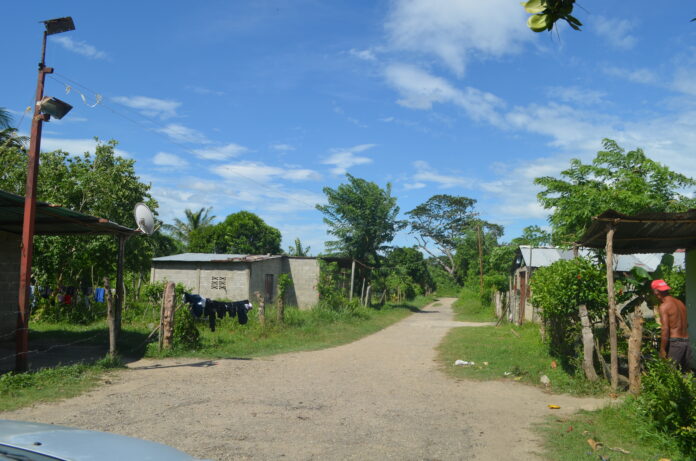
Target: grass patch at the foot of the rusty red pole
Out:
[49,384]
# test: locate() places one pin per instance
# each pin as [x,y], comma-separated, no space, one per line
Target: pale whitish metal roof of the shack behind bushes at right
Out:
[545,256]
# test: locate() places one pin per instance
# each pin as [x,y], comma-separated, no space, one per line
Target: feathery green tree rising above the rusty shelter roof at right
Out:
[628,182]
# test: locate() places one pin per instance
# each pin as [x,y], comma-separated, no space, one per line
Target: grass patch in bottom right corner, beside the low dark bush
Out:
[618,428]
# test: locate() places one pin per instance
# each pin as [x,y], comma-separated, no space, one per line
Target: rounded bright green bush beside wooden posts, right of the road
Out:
[558,290]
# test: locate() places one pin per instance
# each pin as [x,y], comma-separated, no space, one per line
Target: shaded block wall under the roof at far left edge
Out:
[9,284]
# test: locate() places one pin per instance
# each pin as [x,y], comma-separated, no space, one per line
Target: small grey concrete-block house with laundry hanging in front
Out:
[237,277]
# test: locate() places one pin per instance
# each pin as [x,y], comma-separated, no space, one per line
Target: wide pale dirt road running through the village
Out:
[378,398]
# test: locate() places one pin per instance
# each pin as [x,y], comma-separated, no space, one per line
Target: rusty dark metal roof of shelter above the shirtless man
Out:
[643,233]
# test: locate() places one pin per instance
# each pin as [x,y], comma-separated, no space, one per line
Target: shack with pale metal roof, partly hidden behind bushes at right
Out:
[519,308]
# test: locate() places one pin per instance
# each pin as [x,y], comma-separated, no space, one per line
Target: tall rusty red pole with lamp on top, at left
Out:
[53,26]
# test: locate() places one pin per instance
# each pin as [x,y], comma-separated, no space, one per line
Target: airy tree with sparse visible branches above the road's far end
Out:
[442,220]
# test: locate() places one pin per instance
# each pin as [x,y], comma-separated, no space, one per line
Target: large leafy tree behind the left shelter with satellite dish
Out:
[103,185]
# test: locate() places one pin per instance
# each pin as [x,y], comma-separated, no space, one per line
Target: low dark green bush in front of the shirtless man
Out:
[668,400]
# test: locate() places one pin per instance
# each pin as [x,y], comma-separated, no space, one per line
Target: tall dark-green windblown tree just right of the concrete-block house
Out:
[363,218]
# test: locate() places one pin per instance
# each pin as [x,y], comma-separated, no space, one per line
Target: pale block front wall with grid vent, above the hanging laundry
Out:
[210,280]
